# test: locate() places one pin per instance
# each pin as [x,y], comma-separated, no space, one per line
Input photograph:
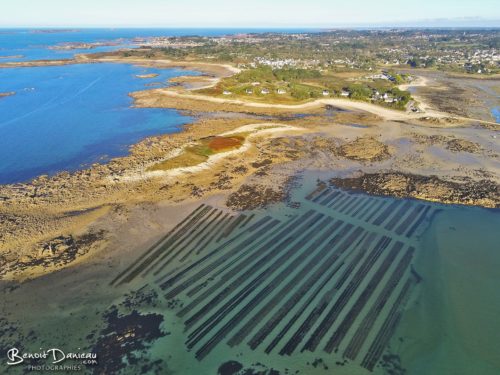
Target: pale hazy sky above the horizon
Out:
[248,13]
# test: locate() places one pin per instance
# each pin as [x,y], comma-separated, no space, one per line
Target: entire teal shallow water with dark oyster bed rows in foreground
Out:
[343,283]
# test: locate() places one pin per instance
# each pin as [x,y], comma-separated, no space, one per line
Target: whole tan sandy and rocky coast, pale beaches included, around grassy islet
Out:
[89,200]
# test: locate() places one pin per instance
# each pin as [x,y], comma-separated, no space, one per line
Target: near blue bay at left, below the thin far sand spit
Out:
[66,117]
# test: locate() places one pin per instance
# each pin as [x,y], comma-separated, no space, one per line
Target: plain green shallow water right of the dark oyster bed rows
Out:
[453,326]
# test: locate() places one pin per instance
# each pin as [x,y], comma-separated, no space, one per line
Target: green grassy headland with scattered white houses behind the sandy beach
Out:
[282,82]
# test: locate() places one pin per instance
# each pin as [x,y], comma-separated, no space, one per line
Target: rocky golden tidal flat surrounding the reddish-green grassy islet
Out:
[111,185]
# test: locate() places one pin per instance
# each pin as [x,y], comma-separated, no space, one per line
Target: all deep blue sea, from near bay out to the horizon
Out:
[67,117]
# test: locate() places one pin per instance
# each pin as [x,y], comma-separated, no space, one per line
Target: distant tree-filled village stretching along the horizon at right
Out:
[471,52]
